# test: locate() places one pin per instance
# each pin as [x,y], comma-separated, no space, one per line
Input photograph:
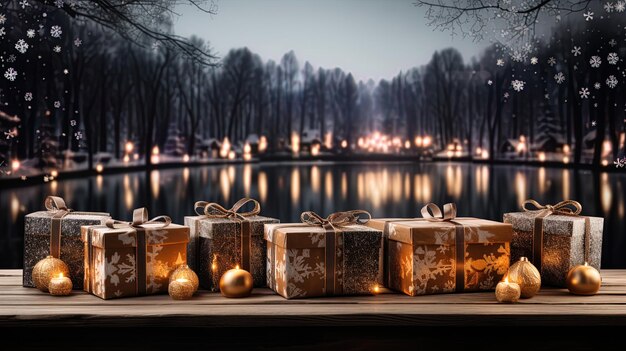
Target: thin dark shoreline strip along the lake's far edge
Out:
[15,182]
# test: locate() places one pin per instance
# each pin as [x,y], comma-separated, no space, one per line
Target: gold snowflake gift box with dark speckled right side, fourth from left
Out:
[322,257]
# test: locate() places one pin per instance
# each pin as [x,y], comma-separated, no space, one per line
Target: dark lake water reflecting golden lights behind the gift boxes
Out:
[286,189]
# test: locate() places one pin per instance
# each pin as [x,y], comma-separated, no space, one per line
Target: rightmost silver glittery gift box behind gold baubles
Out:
[555,238]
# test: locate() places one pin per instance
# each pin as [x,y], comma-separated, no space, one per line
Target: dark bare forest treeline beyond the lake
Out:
[104,91]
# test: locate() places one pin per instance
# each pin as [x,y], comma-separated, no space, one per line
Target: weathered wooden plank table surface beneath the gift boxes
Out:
[21,306]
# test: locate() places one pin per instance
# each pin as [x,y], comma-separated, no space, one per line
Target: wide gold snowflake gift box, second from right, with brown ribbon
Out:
[443,254]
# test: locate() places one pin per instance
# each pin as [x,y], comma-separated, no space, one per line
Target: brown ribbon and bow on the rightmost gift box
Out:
[563,208]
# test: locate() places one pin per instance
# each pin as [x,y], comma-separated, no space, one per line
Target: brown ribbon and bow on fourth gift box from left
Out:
[333,223]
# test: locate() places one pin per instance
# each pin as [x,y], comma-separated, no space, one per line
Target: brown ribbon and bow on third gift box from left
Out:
[215,210]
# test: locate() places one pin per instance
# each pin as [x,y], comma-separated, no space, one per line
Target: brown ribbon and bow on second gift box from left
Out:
[140,218]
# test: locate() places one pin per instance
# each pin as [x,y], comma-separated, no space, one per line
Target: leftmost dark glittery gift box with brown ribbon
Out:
[56,232]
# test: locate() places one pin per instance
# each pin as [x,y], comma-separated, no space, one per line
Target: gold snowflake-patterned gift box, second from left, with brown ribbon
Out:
[135,258]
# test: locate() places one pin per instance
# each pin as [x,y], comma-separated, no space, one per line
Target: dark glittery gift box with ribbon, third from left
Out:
[222,239]
